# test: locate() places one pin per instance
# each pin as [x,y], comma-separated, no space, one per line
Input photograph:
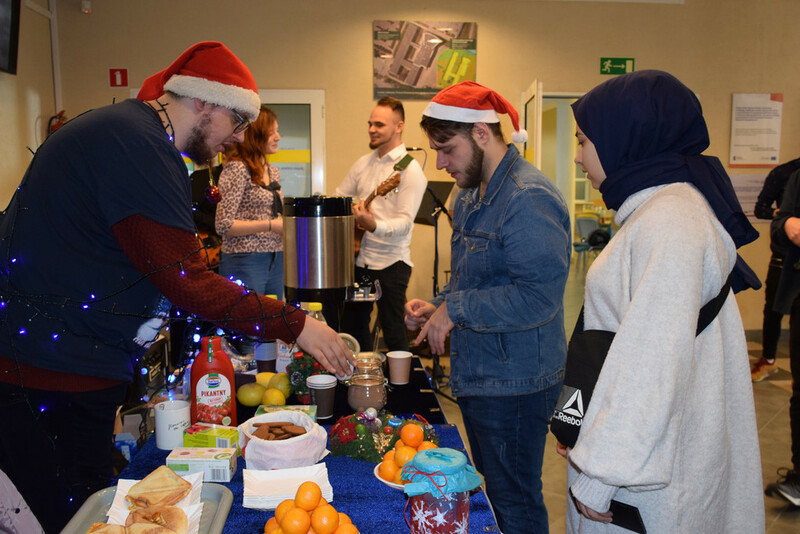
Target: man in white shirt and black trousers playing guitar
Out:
[388,221]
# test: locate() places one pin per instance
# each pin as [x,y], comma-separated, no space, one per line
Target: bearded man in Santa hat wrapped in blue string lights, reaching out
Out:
[96,243]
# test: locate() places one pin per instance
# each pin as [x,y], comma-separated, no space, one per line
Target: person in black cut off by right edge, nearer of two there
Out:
[785,233]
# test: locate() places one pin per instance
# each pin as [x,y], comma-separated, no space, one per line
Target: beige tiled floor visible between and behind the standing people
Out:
[772,412]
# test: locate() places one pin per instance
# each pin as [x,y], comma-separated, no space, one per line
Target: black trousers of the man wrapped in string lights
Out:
[56,447]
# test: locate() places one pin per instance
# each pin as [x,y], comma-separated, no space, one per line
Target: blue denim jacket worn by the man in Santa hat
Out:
[510,254]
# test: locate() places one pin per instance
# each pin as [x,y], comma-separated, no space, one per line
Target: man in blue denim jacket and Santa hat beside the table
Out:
[510,254]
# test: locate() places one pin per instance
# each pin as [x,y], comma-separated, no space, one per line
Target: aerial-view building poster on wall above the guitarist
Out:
[418,59]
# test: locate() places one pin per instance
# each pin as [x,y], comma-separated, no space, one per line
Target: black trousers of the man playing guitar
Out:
[355,321]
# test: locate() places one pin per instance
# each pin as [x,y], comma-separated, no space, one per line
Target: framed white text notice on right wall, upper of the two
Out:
[756,129]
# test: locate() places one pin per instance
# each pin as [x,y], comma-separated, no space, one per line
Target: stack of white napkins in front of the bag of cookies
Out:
[265,490]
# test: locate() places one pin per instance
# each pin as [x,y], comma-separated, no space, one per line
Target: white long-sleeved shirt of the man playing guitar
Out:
[394,213]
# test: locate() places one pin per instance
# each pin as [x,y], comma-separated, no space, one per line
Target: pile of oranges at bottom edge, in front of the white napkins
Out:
[308,513]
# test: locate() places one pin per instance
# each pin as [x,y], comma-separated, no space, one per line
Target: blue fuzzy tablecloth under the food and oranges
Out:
[373,506]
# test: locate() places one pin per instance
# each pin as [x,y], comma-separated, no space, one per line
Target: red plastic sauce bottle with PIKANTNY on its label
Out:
[213,385]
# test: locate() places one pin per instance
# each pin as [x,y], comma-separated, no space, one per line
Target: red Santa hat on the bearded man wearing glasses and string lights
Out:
[211,72]
